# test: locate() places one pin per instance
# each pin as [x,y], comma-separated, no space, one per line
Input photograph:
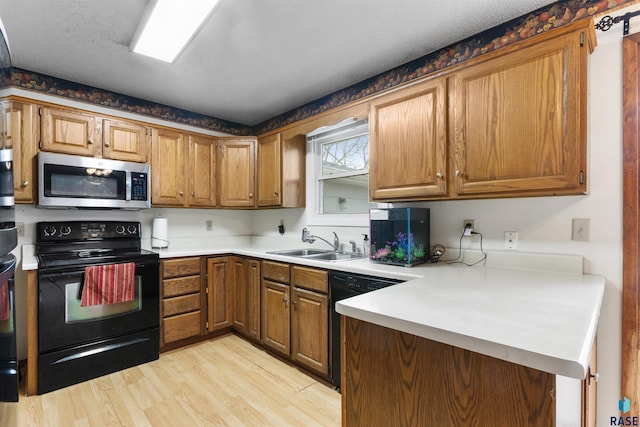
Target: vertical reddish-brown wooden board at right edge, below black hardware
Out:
[630,350]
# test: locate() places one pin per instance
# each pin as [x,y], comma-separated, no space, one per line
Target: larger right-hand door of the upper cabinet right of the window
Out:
[518,121]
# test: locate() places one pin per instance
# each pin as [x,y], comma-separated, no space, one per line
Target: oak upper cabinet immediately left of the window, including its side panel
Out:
[281,171]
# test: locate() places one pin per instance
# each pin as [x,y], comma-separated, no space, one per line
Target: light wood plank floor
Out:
[225,381]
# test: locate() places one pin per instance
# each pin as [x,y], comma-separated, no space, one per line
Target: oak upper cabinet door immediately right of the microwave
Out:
[168,168]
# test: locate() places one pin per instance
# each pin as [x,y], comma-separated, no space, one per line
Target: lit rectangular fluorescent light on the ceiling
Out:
[169,26]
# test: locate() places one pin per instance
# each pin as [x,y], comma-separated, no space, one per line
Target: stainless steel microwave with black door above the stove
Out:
[67,181]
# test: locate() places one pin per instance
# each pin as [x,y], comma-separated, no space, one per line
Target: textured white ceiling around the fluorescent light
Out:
[253,59]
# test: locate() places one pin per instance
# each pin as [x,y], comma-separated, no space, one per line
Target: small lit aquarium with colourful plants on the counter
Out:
[400,236]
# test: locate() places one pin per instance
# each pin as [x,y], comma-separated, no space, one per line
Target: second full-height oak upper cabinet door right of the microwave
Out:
[202,171]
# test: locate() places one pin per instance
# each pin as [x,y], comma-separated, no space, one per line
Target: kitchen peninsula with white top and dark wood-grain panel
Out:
[467,346]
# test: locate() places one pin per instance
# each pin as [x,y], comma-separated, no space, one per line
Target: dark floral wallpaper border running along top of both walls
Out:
[542,20]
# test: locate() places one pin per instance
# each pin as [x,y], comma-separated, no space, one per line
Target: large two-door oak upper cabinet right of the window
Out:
[511,123]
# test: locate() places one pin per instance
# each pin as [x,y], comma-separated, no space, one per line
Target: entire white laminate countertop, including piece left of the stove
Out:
[535,310]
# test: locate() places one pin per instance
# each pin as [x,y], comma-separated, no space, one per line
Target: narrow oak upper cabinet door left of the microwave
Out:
[21,126]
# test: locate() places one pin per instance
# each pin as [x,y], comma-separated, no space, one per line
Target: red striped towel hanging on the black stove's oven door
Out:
[108,284]
